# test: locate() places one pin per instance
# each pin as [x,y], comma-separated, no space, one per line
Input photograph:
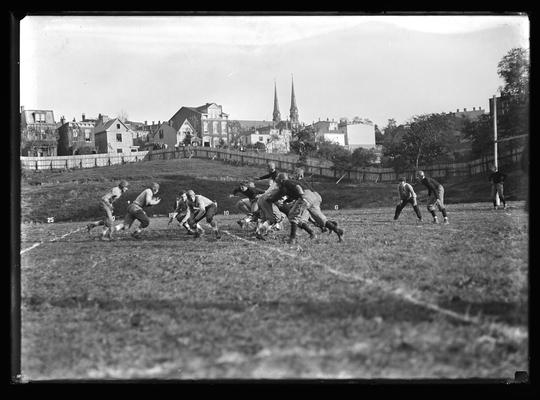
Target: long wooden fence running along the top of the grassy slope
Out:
[284,162]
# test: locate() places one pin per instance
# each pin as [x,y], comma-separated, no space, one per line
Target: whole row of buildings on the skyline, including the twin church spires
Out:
[207,125]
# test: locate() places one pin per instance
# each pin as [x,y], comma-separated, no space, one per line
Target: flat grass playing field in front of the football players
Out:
[395,300]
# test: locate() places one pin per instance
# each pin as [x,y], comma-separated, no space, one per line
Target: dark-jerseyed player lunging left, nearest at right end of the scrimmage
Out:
[306,203]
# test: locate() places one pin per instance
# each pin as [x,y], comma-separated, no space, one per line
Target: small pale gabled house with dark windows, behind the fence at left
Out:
[114,136]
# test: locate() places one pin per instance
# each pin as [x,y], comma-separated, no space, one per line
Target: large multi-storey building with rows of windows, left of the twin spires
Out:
[208,122]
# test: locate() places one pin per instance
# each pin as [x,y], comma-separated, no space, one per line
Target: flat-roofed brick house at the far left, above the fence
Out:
[38,133]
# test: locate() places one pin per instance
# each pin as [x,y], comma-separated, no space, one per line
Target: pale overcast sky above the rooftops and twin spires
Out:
[344,66]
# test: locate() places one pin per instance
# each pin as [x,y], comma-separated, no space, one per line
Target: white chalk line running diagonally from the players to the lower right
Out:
[512,332]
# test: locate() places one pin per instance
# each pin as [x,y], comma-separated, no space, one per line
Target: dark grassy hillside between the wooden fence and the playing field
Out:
[73,195]
